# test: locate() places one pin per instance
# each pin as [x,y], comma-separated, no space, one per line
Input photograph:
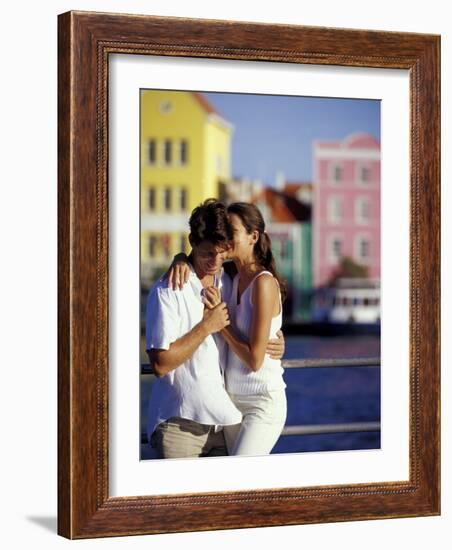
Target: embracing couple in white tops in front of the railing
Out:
[214,341]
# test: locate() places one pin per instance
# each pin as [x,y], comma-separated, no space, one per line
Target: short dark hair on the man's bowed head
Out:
[209,222]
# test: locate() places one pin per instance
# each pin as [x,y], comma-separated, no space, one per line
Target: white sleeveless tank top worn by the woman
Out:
[240,379]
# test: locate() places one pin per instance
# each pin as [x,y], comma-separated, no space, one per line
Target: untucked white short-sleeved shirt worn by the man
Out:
[194,390]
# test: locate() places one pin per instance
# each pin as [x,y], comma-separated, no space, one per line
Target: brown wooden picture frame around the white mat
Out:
[85,42]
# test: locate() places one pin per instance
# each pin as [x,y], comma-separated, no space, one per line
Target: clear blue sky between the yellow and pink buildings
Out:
[275,133]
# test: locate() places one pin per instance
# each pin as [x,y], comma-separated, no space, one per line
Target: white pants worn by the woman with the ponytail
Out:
[264,416]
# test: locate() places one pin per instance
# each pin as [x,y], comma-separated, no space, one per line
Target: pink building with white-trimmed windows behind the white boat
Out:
[346,205]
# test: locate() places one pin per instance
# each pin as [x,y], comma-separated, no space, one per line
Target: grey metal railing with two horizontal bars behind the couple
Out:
[316,429]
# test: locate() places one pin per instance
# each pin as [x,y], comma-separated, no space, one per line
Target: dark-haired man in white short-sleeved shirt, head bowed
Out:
[189,404]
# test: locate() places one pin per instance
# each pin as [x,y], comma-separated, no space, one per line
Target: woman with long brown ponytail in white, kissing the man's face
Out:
[253,378]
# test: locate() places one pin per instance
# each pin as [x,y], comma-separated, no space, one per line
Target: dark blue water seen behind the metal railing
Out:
[323,395]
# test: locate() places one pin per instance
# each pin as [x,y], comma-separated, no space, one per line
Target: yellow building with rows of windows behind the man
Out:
[185,158]
